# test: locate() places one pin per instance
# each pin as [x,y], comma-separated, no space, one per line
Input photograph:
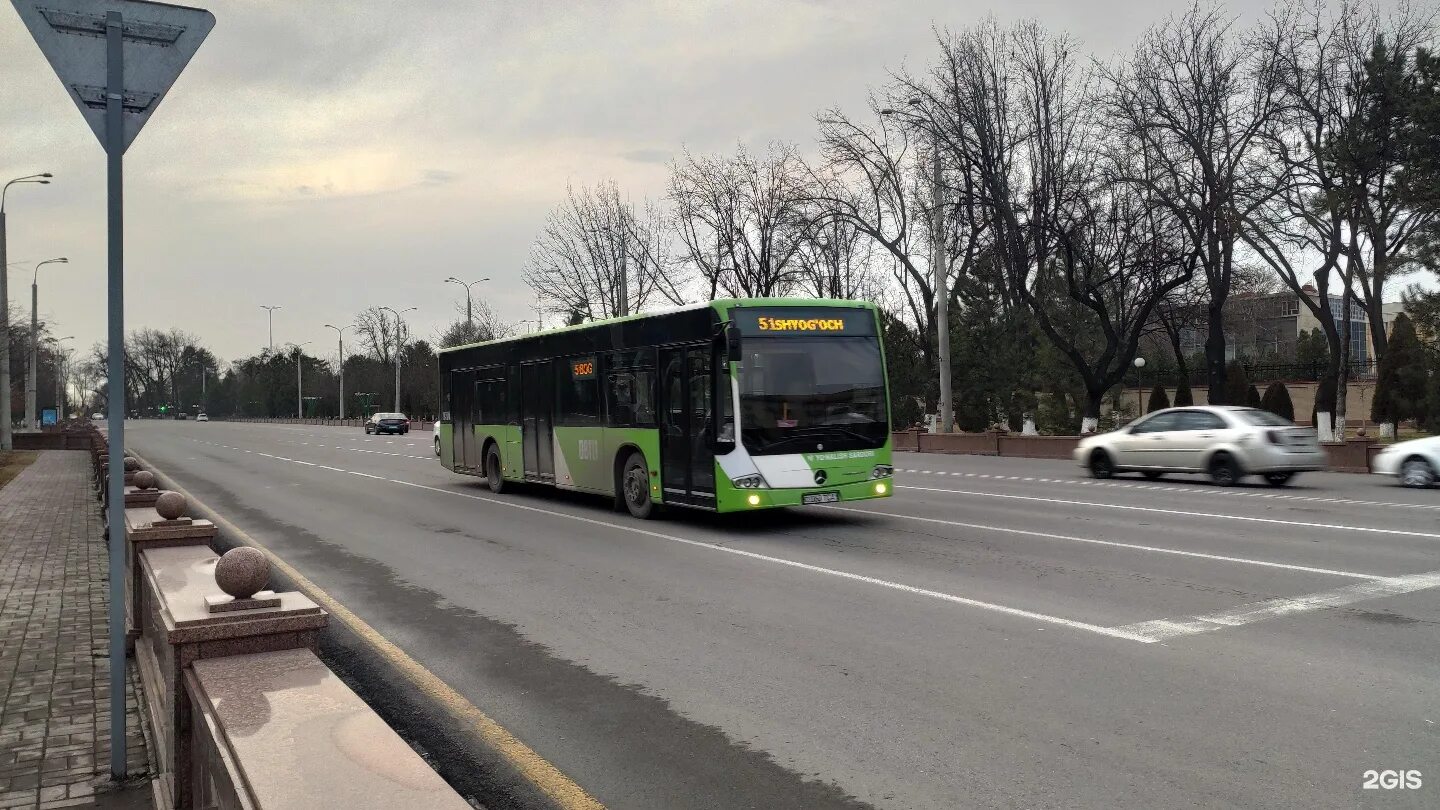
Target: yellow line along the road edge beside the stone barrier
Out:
[534,767]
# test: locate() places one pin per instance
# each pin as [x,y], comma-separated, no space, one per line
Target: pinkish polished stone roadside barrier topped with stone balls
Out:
[241,710]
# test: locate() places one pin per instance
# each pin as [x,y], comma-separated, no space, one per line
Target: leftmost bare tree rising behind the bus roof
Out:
[595,249]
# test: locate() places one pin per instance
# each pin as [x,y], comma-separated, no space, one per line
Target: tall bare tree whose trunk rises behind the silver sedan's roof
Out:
[1194,102]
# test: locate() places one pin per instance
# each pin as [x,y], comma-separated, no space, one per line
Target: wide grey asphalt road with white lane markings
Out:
[1003,633]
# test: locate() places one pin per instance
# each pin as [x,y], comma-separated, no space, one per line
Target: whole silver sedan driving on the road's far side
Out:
[1222,442]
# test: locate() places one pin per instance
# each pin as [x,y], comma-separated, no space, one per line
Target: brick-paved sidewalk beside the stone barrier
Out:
[54,651]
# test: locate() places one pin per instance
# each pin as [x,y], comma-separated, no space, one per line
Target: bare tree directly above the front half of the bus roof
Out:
[742,220]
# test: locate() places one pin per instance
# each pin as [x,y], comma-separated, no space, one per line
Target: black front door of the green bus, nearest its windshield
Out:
[686,462]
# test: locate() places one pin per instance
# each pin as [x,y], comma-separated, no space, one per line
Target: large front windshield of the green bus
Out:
[801,394]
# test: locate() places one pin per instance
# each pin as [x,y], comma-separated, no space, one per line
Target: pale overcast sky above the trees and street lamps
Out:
[329,156]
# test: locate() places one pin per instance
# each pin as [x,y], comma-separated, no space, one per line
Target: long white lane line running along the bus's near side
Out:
[894,586]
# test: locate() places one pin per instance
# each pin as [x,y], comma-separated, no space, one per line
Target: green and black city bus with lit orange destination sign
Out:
[629,407]
